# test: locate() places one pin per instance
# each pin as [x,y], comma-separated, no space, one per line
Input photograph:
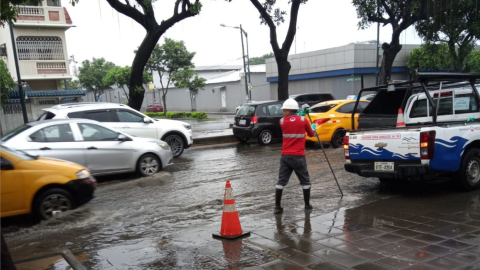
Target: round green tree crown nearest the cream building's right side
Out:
[92,73]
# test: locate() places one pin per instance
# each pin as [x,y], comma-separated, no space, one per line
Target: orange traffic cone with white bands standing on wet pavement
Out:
[231,228]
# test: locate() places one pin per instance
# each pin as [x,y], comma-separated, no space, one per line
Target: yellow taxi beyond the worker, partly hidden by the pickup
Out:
[333,118]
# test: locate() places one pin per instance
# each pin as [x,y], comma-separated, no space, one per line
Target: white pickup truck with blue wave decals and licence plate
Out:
[437,140]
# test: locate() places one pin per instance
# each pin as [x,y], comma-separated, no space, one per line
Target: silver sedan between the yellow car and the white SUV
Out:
[89,143]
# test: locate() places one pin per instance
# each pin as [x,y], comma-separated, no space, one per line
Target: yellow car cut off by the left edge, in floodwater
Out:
[41,186]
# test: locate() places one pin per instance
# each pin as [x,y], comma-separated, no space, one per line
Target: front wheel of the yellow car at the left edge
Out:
[51,202]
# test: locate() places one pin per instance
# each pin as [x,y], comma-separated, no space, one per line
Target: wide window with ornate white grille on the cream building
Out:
[40,48]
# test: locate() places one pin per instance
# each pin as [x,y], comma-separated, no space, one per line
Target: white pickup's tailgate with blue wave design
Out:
[384,145]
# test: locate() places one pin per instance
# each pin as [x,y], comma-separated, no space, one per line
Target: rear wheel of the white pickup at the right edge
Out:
[469,173]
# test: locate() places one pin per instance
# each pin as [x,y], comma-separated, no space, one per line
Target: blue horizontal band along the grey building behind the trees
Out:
[334,73]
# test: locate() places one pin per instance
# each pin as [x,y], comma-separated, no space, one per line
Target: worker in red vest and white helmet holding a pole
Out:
[293,153]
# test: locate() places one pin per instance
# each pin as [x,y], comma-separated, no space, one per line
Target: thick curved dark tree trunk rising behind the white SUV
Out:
[136,77]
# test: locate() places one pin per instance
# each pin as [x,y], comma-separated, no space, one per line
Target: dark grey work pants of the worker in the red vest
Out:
[288,164]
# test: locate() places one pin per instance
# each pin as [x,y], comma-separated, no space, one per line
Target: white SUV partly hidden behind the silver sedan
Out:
[177,134]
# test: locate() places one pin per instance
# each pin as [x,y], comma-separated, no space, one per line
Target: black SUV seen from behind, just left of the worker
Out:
[259,120]
